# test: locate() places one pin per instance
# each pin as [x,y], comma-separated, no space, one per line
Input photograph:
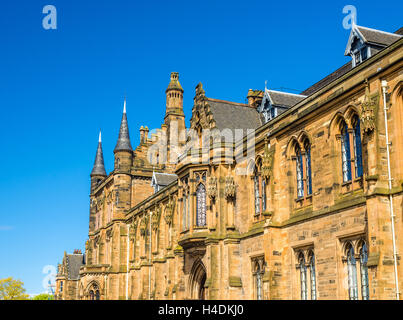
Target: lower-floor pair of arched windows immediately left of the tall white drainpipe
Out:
[354,258]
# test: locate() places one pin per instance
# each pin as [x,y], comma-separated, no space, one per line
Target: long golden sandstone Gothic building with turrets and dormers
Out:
[315,214]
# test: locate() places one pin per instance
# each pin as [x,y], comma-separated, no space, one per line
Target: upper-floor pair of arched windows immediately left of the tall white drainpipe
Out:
[346,155]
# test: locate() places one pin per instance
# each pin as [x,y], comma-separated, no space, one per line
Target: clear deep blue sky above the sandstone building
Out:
[59,87]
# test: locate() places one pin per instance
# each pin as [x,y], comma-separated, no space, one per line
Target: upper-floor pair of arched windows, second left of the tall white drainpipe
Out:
[303,169]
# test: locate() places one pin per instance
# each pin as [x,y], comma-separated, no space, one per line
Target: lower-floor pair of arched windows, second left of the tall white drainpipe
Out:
[307,274]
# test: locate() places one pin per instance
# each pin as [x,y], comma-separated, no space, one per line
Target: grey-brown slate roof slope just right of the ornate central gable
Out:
[233,115]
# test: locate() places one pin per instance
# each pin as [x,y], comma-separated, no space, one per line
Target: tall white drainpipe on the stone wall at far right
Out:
[384,85]
